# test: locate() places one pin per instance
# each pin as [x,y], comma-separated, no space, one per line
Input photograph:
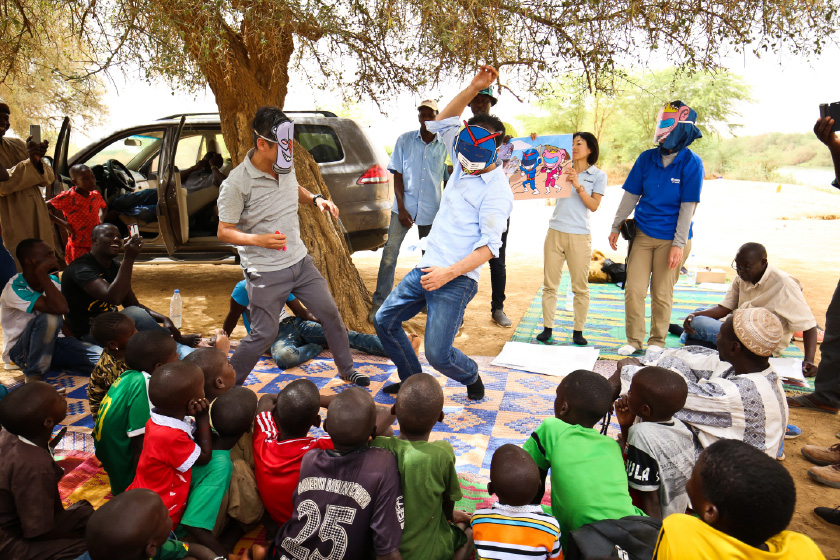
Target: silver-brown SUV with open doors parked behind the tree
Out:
[182,223]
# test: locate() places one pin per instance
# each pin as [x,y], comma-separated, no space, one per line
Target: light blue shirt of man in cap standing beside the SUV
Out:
[422,166]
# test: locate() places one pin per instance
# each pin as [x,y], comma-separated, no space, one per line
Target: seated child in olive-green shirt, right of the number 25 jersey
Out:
[427,475]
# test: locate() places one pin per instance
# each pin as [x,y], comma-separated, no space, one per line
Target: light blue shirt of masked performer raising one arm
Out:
[473,211]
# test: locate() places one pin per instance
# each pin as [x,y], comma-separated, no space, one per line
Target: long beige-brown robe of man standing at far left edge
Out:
[23,211]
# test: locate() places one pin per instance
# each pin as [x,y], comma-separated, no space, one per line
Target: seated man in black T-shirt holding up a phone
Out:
[96,282]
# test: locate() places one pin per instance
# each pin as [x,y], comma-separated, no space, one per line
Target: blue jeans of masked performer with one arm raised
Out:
[445,313]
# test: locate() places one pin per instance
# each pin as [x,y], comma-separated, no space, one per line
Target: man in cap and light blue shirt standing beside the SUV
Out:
[418,164]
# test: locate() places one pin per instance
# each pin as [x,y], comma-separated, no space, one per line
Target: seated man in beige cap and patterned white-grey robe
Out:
[733,393]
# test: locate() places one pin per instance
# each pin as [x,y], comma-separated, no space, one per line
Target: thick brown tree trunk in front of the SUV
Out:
[238,97]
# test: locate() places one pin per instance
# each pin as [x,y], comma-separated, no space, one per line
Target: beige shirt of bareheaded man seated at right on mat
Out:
[776,291]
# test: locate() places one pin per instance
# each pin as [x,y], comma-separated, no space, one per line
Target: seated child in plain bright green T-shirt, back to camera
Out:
[588,480]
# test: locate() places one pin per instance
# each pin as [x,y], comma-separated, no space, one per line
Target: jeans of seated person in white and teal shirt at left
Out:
[40,349]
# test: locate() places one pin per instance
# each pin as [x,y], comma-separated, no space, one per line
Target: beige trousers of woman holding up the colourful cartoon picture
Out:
[575,250]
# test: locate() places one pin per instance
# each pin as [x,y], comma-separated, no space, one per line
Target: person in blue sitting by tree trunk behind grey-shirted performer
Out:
[300,337]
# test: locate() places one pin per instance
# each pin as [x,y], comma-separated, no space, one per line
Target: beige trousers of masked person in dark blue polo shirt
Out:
[648,266]
